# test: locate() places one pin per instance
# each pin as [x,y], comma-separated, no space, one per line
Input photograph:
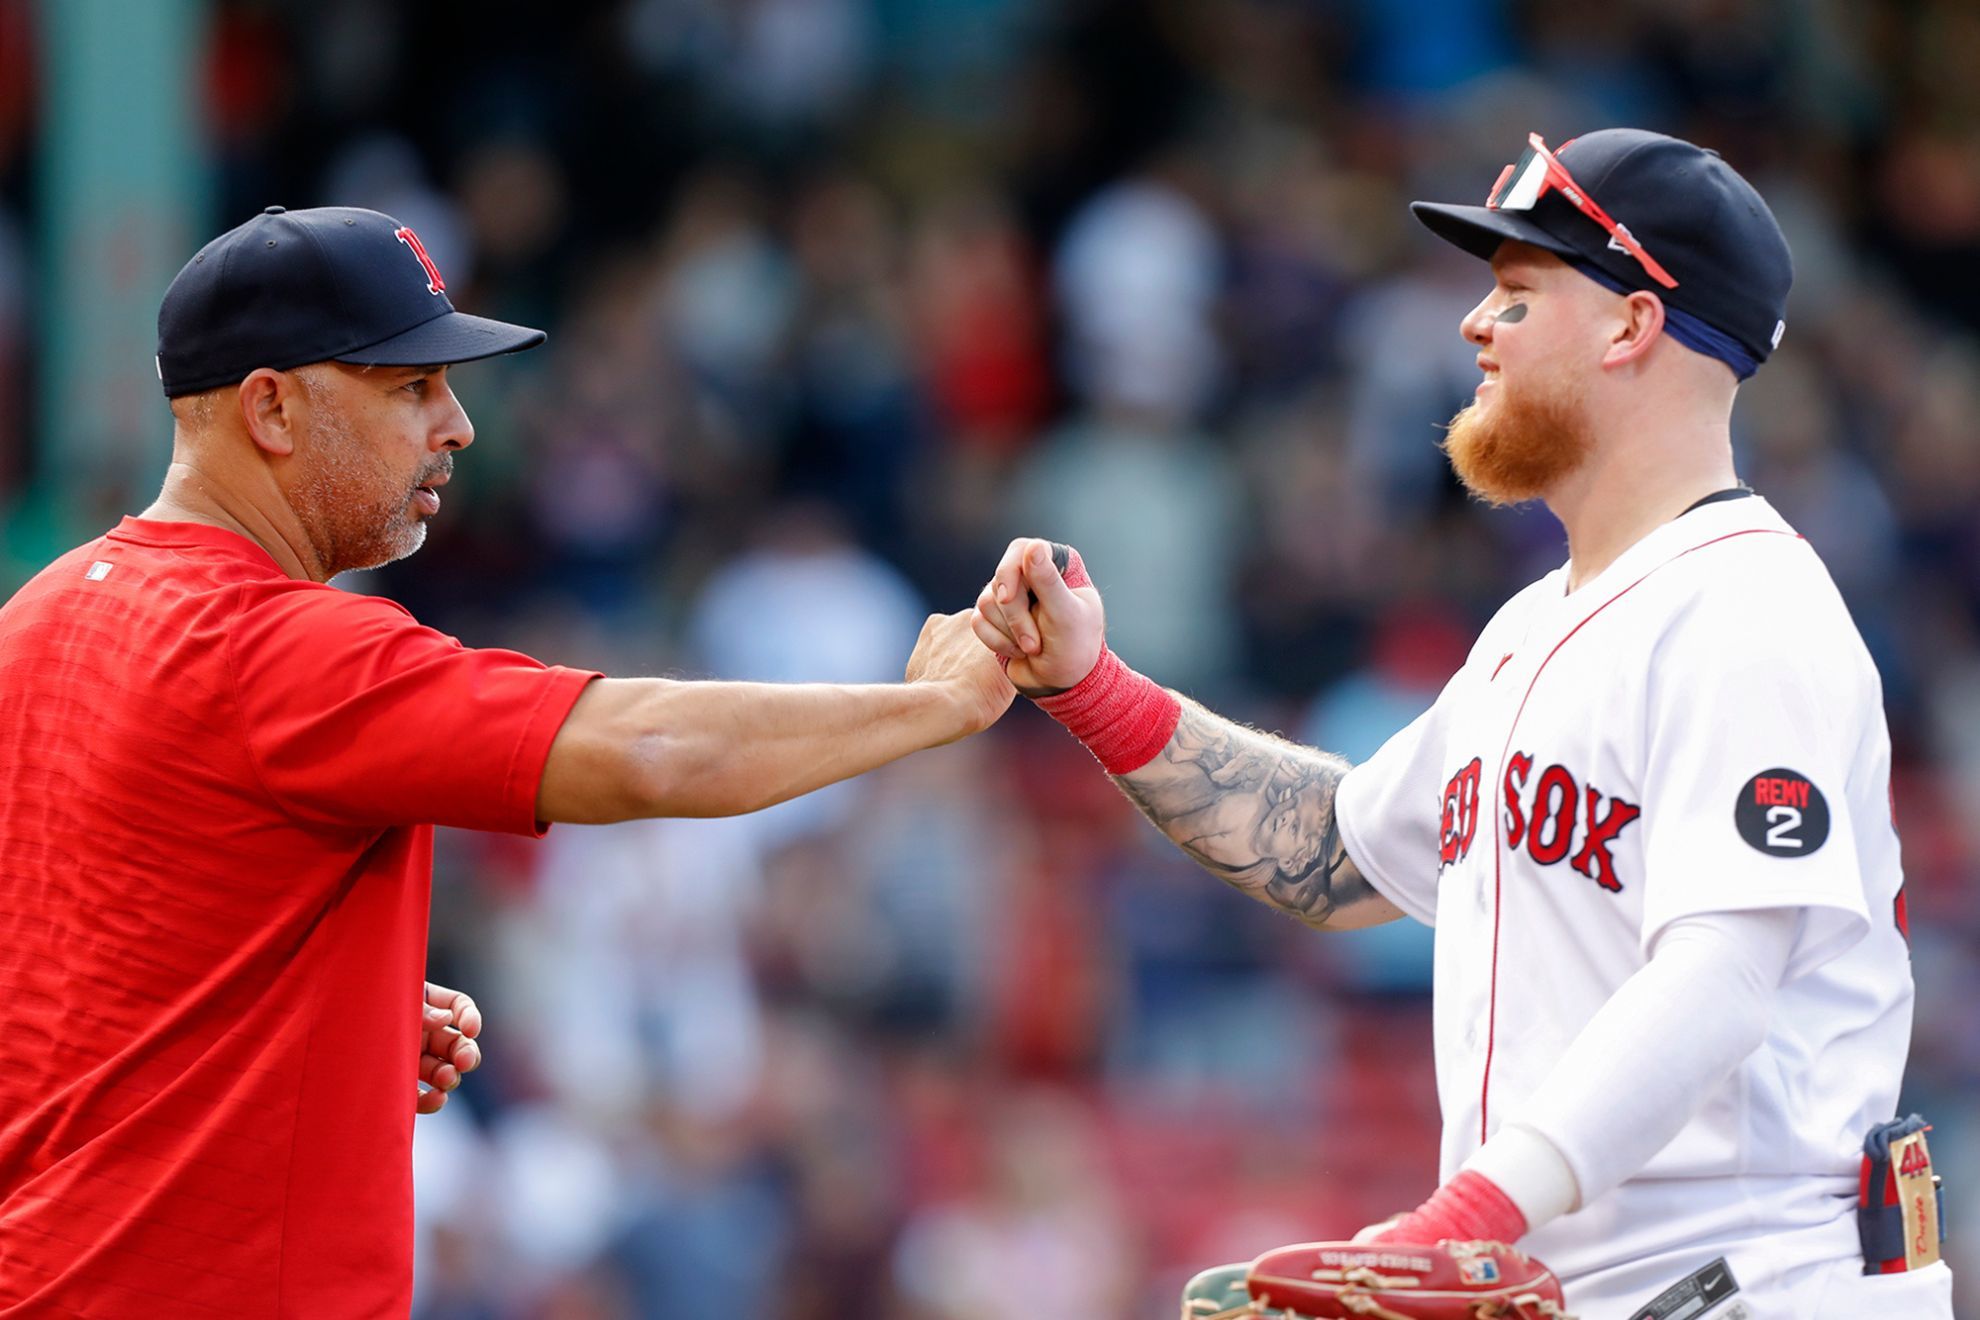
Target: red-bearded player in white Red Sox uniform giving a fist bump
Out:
[1648,818]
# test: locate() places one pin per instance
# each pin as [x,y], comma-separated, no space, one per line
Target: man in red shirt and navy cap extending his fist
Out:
[219,781]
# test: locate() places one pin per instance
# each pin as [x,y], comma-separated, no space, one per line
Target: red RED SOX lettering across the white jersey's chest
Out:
[1543,814]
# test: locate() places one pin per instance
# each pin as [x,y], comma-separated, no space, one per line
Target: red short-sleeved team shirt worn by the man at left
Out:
[217,802]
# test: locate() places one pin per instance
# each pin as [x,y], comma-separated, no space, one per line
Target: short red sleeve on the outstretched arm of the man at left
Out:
[359,715]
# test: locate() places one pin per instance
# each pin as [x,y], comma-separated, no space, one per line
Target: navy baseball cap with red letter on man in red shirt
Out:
[316,286]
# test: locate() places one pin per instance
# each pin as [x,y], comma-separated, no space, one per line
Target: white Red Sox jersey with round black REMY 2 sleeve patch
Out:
[1700,729]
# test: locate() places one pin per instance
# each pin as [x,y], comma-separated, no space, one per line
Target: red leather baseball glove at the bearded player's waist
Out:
[1405,1281]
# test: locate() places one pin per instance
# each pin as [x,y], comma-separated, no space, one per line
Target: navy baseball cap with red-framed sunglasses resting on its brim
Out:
[1704,229]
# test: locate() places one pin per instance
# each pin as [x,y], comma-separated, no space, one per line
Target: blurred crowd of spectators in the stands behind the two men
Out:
[842,296]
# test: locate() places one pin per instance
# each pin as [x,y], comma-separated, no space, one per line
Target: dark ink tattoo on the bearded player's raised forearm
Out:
[1256,812]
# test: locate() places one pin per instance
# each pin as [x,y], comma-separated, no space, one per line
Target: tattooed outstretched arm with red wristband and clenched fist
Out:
[1250,808]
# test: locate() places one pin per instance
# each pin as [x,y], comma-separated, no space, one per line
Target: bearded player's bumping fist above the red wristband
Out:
[1050,632]
